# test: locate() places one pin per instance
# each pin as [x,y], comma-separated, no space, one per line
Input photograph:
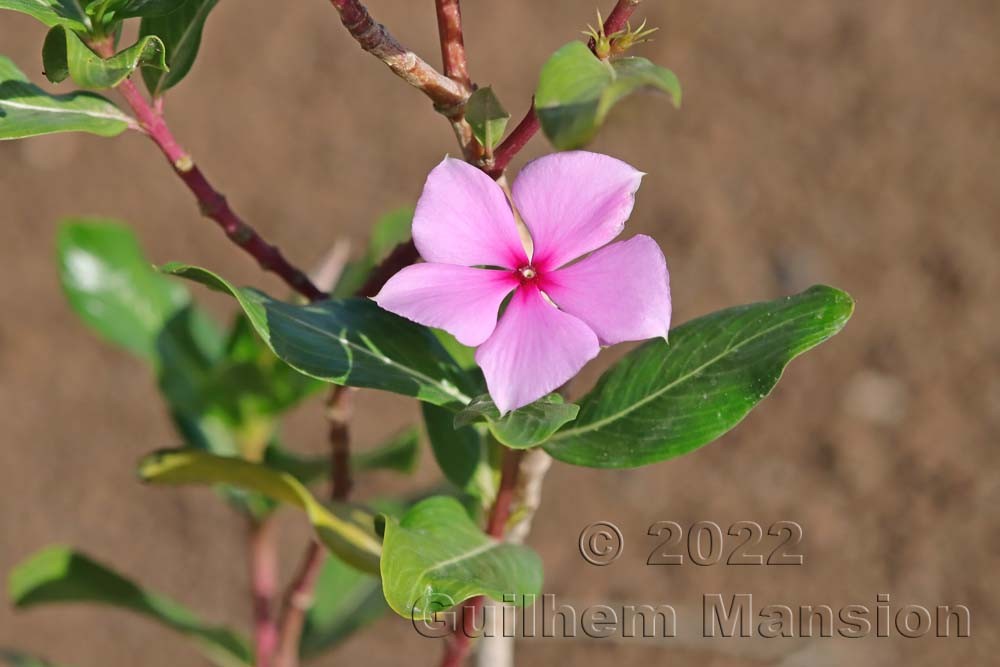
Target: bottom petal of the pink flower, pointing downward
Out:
[535,349]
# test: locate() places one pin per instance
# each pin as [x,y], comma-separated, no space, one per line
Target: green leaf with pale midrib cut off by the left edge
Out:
[27,111]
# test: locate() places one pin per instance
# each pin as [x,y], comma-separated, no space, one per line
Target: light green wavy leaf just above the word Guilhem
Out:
[436,557]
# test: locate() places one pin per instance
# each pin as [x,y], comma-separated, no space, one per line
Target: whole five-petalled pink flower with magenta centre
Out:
[561,313]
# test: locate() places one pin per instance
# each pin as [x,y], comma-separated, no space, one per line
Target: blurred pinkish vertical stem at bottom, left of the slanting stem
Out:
[263,560]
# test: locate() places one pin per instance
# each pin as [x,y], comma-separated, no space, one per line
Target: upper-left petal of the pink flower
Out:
[464,218]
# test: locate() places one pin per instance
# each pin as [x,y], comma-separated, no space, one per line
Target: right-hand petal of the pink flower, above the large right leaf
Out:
[622,291]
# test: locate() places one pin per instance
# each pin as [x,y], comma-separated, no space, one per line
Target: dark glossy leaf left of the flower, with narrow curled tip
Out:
[349,342]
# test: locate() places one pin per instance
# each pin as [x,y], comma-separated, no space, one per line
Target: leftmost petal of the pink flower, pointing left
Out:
[461,300]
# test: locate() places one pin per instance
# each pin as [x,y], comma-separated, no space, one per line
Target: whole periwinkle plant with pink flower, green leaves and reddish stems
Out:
[479,302]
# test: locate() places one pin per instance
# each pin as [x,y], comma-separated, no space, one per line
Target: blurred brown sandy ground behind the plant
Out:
[847,142]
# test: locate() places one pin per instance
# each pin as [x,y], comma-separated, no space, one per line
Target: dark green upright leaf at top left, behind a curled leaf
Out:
[180,31]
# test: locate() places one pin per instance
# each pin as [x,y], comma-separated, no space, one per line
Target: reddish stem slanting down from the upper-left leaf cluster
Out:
[212,203]
